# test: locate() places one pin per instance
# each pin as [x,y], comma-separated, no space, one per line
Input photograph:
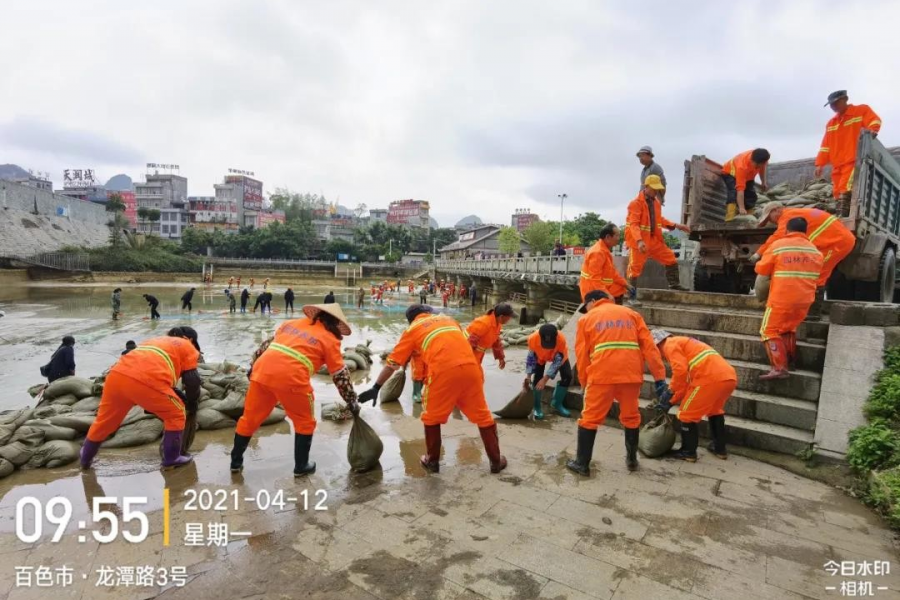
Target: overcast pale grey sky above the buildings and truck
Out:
[479,107]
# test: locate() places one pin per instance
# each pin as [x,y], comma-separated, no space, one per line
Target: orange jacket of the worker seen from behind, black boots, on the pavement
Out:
[611,345]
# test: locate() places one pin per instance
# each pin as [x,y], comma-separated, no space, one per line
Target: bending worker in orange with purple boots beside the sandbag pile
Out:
[146,376]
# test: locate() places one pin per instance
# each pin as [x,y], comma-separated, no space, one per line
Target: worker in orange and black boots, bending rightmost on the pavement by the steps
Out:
[702,382]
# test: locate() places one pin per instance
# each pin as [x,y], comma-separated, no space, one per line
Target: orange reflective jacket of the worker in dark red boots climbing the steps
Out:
[794,265]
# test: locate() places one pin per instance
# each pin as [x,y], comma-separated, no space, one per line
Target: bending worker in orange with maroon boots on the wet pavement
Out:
[454,380]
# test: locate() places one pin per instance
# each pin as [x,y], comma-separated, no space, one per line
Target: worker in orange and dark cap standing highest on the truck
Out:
[839,143]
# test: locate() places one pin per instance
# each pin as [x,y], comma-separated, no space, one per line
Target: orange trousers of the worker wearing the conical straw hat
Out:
[298,403]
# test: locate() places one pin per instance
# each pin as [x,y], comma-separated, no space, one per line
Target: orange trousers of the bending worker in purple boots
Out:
[121,393]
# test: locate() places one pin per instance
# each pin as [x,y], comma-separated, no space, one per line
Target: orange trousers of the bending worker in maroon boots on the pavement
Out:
[463,388]
